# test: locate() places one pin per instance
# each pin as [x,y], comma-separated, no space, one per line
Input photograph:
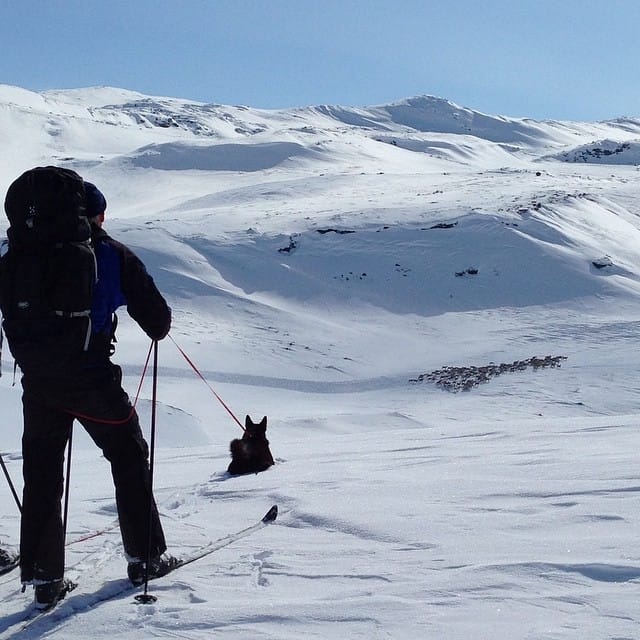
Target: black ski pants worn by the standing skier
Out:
[97,400]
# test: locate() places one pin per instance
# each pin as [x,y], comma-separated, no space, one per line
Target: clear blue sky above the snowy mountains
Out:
[547,59]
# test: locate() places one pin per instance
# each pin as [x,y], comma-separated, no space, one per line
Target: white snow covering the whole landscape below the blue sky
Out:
[318,262]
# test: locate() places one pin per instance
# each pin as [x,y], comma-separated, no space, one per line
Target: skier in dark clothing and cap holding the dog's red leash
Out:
[90,391]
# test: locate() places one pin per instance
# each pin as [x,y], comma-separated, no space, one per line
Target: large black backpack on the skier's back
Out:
[47,271]
